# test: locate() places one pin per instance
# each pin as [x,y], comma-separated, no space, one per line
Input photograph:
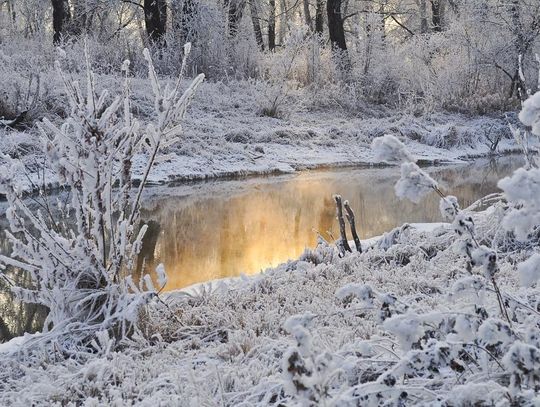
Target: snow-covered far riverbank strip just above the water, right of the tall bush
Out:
[246,143]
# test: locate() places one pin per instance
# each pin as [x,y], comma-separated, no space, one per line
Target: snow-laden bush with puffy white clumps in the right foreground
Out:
[484,332]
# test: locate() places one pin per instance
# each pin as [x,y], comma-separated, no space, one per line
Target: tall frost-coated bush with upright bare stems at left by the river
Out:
[79,252]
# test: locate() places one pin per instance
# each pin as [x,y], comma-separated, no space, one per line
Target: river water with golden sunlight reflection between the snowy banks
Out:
[232,230]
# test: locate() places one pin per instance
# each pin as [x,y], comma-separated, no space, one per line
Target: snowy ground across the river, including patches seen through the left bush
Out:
[225,135]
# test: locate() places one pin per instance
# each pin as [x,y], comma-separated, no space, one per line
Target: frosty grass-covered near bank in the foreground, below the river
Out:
[226,344]
